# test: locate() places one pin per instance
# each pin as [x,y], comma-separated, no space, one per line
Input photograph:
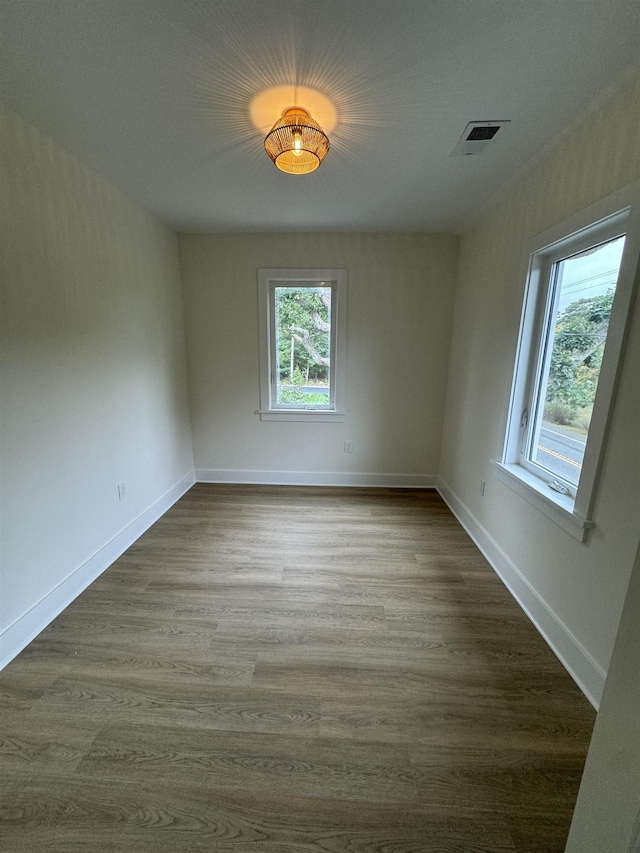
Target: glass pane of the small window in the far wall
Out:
[303,345]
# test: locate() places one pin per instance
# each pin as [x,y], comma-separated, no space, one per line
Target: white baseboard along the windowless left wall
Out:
[27,627]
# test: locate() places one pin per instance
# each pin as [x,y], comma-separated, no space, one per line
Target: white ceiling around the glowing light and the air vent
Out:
[155,95]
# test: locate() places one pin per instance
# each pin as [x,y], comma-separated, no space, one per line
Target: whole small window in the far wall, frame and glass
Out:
[302,344]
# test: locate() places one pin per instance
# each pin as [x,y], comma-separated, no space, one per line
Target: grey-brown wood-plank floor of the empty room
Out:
[282,670]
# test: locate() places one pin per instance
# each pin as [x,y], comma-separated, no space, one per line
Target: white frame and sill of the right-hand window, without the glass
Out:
[618,213]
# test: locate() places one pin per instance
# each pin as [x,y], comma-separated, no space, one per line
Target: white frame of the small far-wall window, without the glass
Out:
[268,280]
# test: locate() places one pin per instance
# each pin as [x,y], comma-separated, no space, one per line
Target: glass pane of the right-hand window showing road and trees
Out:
[584,286]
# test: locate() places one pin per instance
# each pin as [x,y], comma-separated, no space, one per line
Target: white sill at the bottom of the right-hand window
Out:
[559,508]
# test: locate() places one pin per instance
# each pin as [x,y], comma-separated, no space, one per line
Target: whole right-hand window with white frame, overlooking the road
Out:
[576,304]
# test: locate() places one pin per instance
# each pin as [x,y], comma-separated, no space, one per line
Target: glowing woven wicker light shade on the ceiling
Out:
[296,143]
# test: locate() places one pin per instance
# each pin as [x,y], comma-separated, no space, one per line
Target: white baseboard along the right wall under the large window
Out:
[583,668]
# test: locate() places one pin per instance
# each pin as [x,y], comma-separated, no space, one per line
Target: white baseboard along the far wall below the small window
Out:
[317,478]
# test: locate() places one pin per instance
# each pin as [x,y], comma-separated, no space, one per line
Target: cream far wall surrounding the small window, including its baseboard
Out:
[400,297]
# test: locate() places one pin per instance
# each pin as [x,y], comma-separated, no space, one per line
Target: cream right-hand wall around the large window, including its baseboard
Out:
[577,588]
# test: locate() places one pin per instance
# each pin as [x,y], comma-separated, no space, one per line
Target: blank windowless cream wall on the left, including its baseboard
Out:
[94,386]
